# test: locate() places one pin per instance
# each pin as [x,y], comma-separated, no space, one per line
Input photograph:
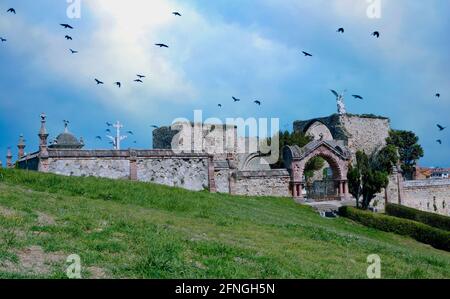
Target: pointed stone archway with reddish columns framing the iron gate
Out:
[335,153]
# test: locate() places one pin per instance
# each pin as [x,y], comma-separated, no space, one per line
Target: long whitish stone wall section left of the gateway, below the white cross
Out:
[188,171]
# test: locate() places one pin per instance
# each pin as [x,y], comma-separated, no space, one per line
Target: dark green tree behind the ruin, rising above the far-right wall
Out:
[409,149]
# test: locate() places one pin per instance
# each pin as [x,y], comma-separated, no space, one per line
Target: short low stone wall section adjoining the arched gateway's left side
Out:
[262,183]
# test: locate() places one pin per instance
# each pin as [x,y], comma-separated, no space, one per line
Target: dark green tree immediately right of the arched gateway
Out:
[367,177]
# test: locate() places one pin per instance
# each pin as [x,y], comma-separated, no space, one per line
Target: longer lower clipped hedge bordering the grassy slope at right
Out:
[435,237]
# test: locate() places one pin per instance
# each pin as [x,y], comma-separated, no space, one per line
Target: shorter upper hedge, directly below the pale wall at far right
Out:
[435,220]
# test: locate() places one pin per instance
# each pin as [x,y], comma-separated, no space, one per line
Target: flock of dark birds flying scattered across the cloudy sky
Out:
[139,77]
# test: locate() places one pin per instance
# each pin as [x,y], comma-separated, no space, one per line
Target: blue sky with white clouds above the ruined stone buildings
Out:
[250,49]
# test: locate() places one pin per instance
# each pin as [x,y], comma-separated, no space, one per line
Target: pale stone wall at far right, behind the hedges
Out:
[428,195]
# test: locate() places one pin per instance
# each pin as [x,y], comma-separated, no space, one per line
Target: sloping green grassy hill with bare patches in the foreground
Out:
[123,229]
